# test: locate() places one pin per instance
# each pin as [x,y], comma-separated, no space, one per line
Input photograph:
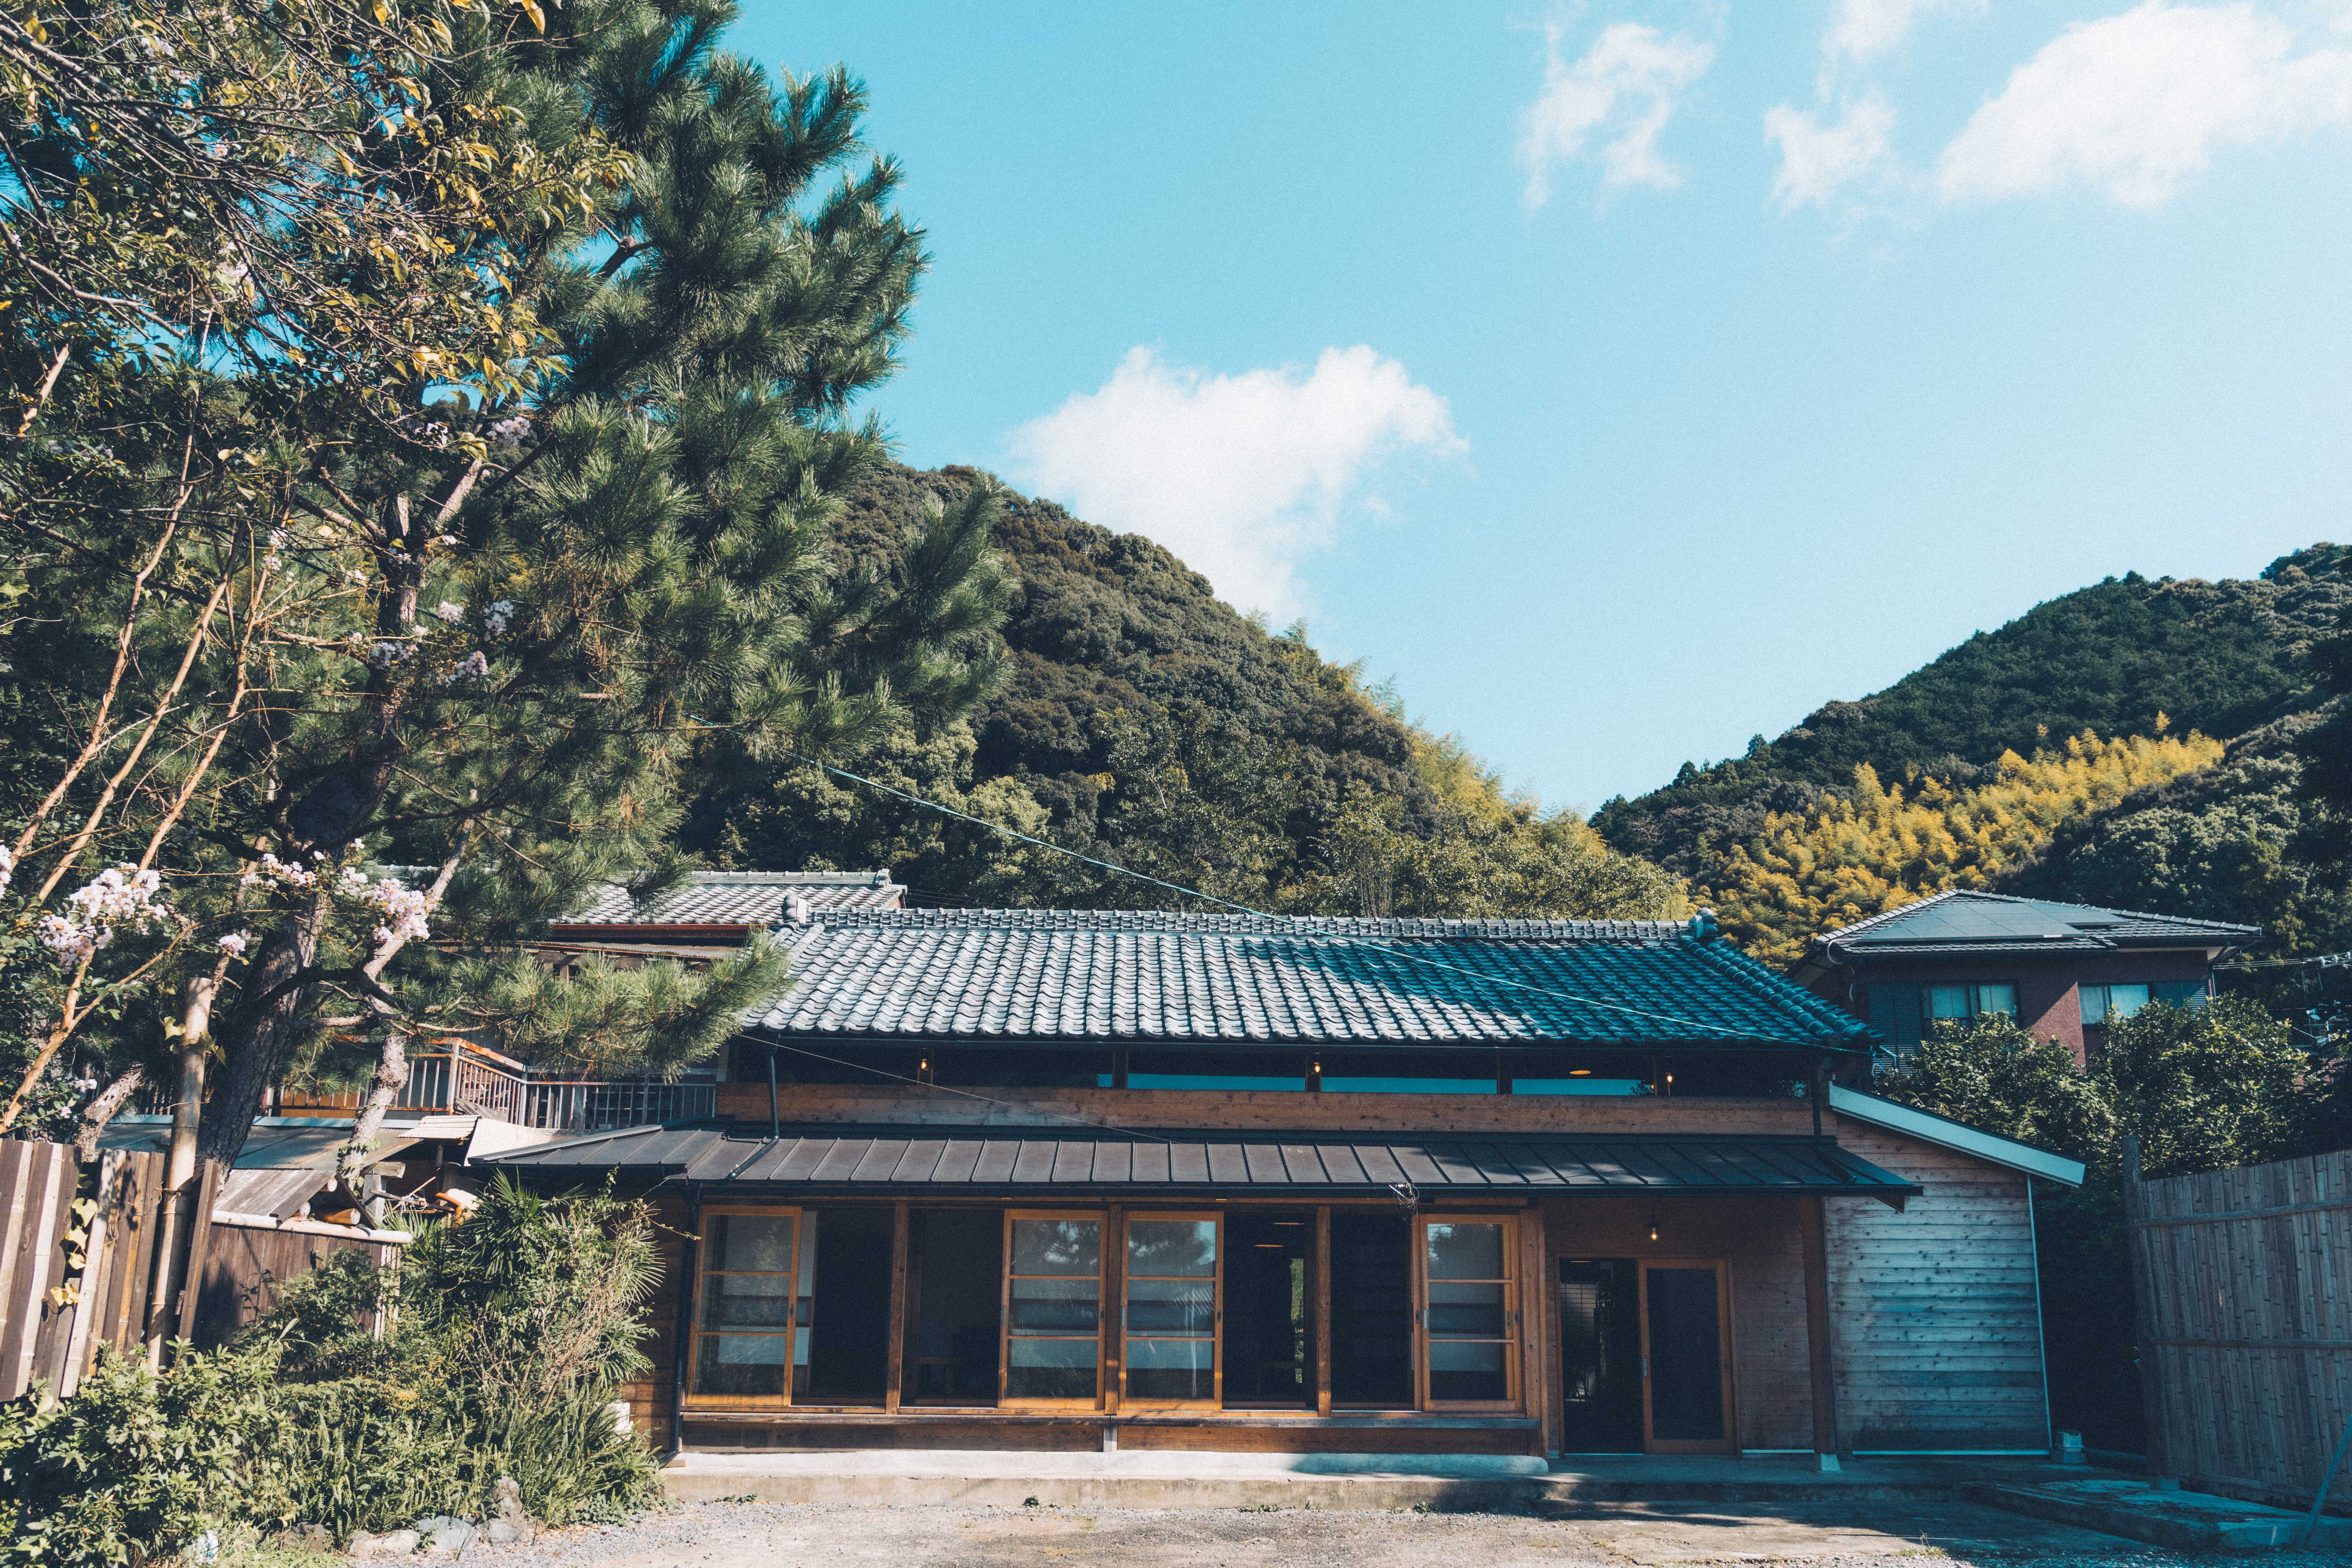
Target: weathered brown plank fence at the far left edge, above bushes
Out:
[55,1318]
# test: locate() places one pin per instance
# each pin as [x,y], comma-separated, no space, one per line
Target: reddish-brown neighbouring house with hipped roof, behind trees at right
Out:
[2062,970]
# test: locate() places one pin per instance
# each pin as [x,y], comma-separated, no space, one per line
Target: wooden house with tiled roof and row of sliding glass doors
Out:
[1034,1179]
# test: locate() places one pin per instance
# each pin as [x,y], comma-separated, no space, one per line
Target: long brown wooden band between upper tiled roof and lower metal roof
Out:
[1269,1111]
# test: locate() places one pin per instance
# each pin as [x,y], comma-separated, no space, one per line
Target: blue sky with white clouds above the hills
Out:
[1629,380]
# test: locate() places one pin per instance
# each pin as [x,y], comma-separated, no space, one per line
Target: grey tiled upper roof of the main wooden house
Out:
[1069,977]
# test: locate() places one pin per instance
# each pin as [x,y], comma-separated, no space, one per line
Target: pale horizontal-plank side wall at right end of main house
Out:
[1935,1311]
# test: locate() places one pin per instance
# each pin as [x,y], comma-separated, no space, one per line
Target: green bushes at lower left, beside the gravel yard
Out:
[509,1336]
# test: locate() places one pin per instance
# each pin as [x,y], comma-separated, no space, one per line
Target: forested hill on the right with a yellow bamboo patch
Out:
[2071,753]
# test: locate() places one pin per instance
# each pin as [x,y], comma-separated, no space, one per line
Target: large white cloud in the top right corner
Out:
[2139,105]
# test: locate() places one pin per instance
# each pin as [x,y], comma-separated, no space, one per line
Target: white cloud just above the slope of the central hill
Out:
[1241,476]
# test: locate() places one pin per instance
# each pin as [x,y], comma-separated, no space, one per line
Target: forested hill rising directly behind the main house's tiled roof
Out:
[1147,723]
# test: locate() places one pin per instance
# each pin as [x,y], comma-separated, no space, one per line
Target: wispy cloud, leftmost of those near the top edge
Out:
[1619,98]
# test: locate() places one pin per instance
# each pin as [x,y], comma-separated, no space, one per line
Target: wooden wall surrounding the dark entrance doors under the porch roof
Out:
[1763,1242]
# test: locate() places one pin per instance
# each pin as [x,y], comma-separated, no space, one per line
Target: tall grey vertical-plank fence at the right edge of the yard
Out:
[2245,1285]
